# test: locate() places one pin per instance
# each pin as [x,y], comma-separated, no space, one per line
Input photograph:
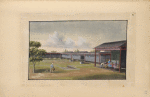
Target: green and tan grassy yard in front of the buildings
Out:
[85,71]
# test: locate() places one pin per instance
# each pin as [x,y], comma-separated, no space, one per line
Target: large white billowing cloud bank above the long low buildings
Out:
[58,41]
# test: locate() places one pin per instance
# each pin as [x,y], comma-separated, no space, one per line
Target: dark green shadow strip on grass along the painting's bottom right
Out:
[101,77]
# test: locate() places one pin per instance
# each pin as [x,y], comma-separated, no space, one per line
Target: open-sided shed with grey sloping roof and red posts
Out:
[118,52]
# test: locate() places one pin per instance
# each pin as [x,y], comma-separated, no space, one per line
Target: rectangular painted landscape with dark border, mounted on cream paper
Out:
[77,50]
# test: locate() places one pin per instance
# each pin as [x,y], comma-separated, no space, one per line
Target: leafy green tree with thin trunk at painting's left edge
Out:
[35,54]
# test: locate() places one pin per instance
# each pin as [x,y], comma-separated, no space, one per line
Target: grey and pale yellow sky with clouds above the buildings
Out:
[72,35]
